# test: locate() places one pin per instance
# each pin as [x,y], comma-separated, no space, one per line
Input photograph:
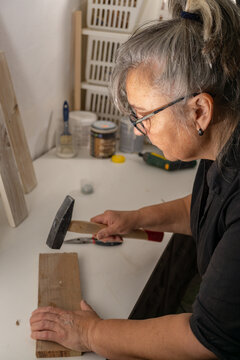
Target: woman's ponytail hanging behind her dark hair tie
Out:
[221,32]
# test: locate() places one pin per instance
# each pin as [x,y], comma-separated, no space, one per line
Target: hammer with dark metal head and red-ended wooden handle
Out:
[63,223]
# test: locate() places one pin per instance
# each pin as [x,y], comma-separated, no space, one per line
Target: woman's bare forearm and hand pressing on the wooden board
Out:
[168,337]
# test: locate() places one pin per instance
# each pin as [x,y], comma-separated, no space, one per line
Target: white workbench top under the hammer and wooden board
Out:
[112,278]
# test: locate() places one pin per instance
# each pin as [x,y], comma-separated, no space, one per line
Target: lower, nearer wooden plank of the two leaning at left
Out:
[10,185]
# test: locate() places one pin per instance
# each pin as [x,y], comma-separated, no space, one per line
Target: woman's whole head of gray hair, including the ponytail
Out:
[191,56]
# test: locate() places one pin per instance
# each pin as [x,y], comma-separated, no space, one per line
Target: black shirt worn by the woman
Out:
[215,224]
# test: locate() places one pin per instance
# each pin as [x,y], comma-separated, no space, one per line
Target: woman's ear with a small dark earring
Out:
[202,110]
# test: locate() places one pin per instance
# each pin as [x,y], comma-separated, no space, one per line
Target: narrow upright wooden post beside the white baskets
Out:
[77,59]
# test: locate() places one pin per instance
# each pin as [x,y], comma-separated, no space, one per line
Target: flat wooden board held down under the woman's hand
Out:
[59,286]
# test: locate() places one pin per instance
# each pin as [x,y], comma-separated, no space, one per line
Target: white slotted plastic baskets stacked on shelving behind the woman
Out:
[110,23]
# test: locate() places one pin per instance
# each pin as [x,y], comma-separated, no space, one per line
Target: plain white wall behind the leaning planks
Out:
[36,38]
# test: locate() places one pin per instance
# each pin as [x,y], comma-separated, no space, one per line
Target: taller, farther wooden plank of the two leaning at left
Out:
[15,128]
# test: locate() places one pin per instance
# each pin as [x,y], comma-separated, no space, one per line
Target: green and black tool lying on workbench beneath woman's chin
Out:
[160,161]
